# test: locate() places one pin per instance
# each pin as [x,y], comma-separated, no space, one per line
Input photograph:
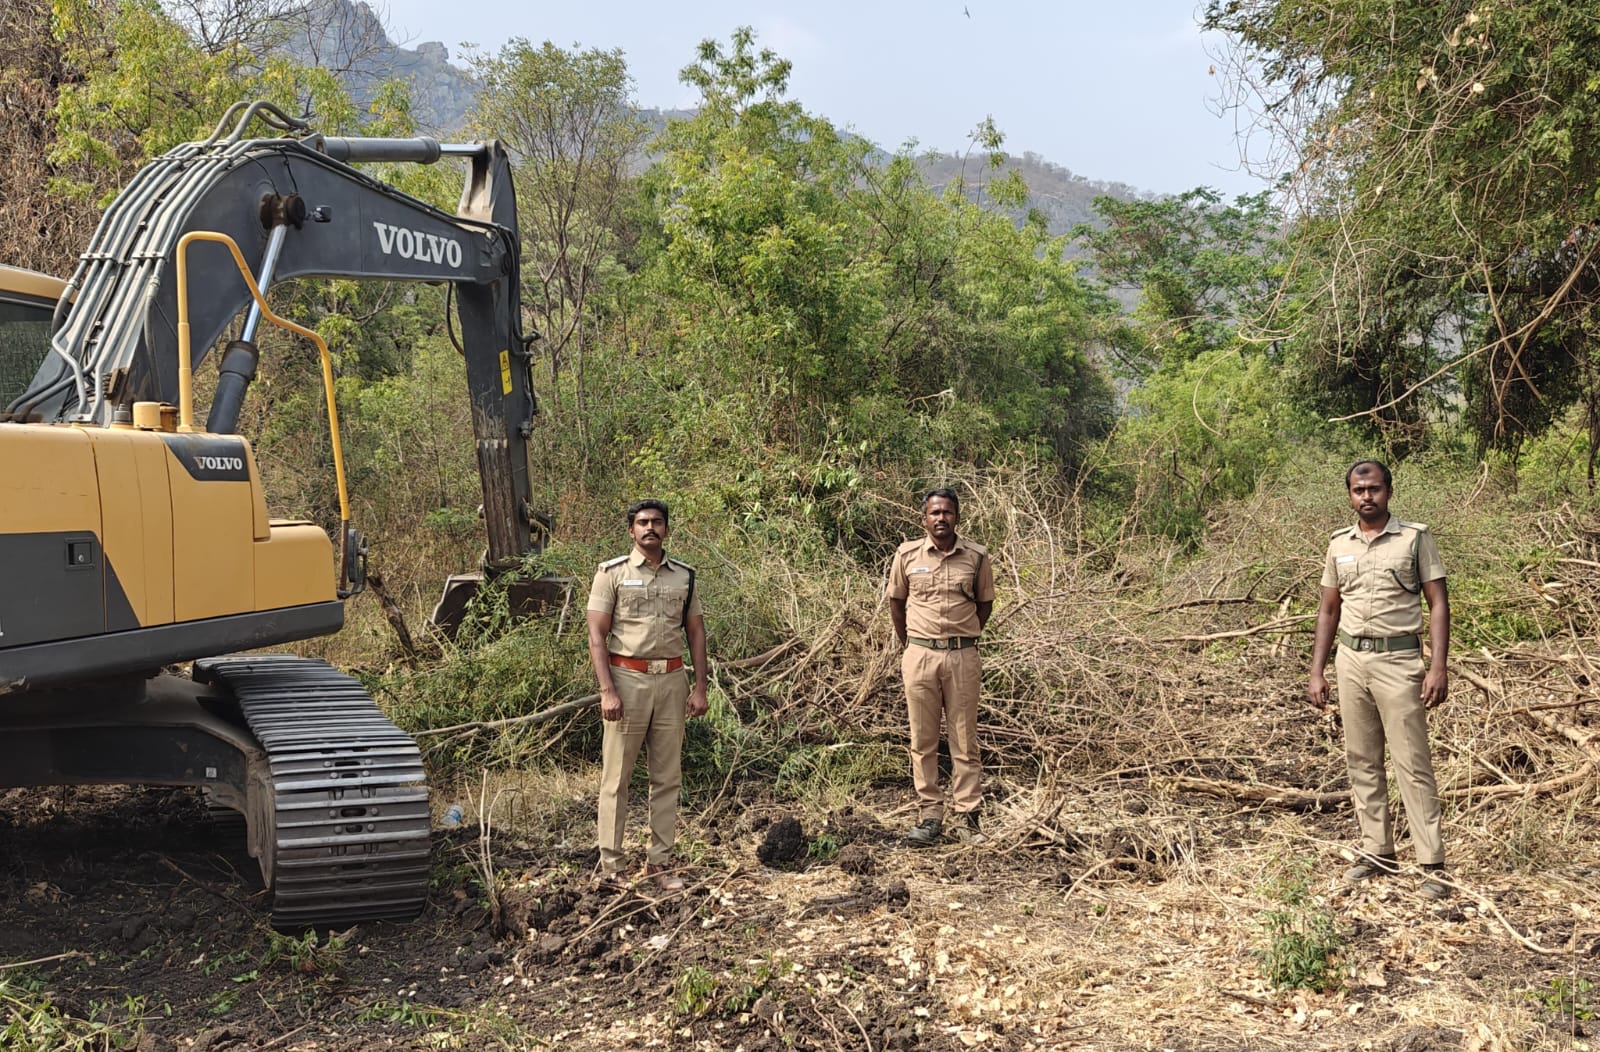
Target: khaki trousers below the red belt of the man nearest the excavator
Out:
[652,717]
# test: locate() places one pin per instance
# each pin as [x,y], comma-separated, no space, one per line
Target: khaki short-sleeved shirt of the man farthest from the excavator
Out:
[1374,602]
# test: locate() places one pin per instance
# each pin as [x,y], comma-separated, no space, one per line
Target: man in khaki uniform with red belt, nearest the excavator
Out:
[641,607]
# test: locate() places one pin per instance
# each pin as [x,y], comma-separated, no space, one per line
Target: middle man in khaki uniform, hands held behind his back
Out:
[942,592]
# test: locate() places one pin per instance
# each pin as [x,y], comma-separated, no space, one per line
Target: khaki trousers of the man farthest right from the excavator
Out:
[1382,701]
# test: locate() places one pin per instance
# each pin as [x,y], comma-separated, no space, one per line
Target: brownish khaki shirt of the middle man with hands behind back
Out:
[942,591]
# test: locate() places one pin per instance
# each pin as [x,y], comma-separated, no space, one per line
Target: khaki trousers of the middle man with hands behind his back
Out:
[943,683]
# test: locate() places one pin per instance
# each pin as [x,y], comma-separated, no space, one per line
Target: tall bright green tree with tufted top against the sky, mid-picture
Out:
[758,247]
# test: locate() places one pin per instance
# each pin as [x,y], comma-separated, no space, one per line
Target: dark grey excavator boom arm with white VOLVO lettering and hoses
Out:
[303,212]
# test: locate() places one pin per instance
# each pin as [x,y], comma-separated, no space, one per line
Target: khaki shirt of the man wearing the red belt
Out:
[646,605]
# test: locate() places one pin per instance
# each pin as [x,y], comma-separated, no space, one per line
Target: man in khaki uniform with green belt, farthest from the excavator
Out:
[1370,605]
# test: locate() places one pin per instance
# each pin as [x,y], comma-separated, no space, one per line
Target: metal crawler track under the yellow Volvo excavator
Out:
[346,818]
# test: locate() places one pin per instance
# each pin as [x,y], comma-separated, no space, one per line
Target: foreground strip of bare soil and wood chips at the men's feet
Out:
[1106,920]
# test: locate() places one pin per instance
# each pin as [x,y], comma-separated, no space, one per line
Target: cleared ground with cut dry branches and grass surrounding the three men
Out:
[1167,815]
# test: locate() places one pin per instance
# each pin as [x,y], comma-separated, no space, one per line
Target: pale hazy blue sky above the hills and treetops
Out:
[1114,92]
